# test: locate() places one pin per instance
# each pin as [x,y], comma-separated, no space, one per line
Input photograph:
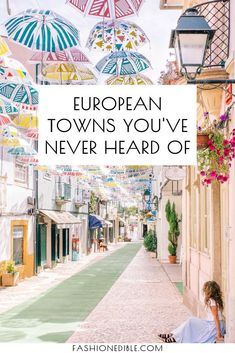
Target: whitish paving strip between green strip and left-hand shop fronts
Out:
[32,287]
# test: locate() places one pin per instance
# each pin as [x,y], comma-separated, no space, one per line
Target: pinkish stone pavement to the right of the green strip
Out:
[142,303]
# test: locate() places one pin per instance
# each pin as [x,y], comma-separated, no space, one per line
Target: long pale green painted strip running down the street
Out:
[54,316]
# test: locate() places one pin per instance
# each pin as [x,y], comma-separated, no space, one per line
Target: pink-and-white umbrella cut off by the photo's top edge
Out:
[107,8]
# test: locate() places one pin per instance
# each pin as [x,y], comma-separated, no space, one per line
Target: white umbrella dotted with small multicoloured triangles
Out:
[116,35]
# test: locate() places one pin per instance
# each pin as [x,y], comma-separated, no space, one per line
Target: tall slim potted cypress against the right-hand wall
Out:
[173,232]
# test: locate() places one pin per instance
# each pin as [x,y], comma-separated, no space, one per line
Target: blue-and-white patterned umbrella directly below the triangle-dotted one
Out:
[123,63]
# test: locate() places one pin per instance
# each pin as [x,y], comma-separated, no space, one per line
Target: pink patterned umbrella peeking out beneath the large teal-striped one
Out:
[72,55]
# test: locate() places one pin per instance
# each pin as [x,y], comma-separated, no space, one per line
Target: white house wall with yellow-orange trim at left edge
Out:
[14,211]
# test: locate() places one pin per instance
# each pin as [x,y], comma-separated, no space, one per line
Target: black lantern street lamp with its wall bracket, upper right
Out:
[191,39]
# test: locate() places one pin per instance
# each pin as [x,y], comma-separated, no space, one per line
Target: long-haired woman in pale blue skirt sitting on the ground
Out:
[196,330]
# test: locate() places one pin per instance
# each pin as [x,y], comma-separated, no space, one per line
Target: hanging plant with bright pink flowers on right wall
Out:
[214,161]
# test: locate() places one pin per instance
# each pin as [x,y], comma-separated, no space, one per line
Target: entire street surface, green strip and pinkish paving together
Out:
[124,297]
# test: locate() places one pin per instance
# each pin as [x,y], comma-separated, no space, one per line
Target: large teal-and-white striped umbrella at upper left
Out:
[42,30]
